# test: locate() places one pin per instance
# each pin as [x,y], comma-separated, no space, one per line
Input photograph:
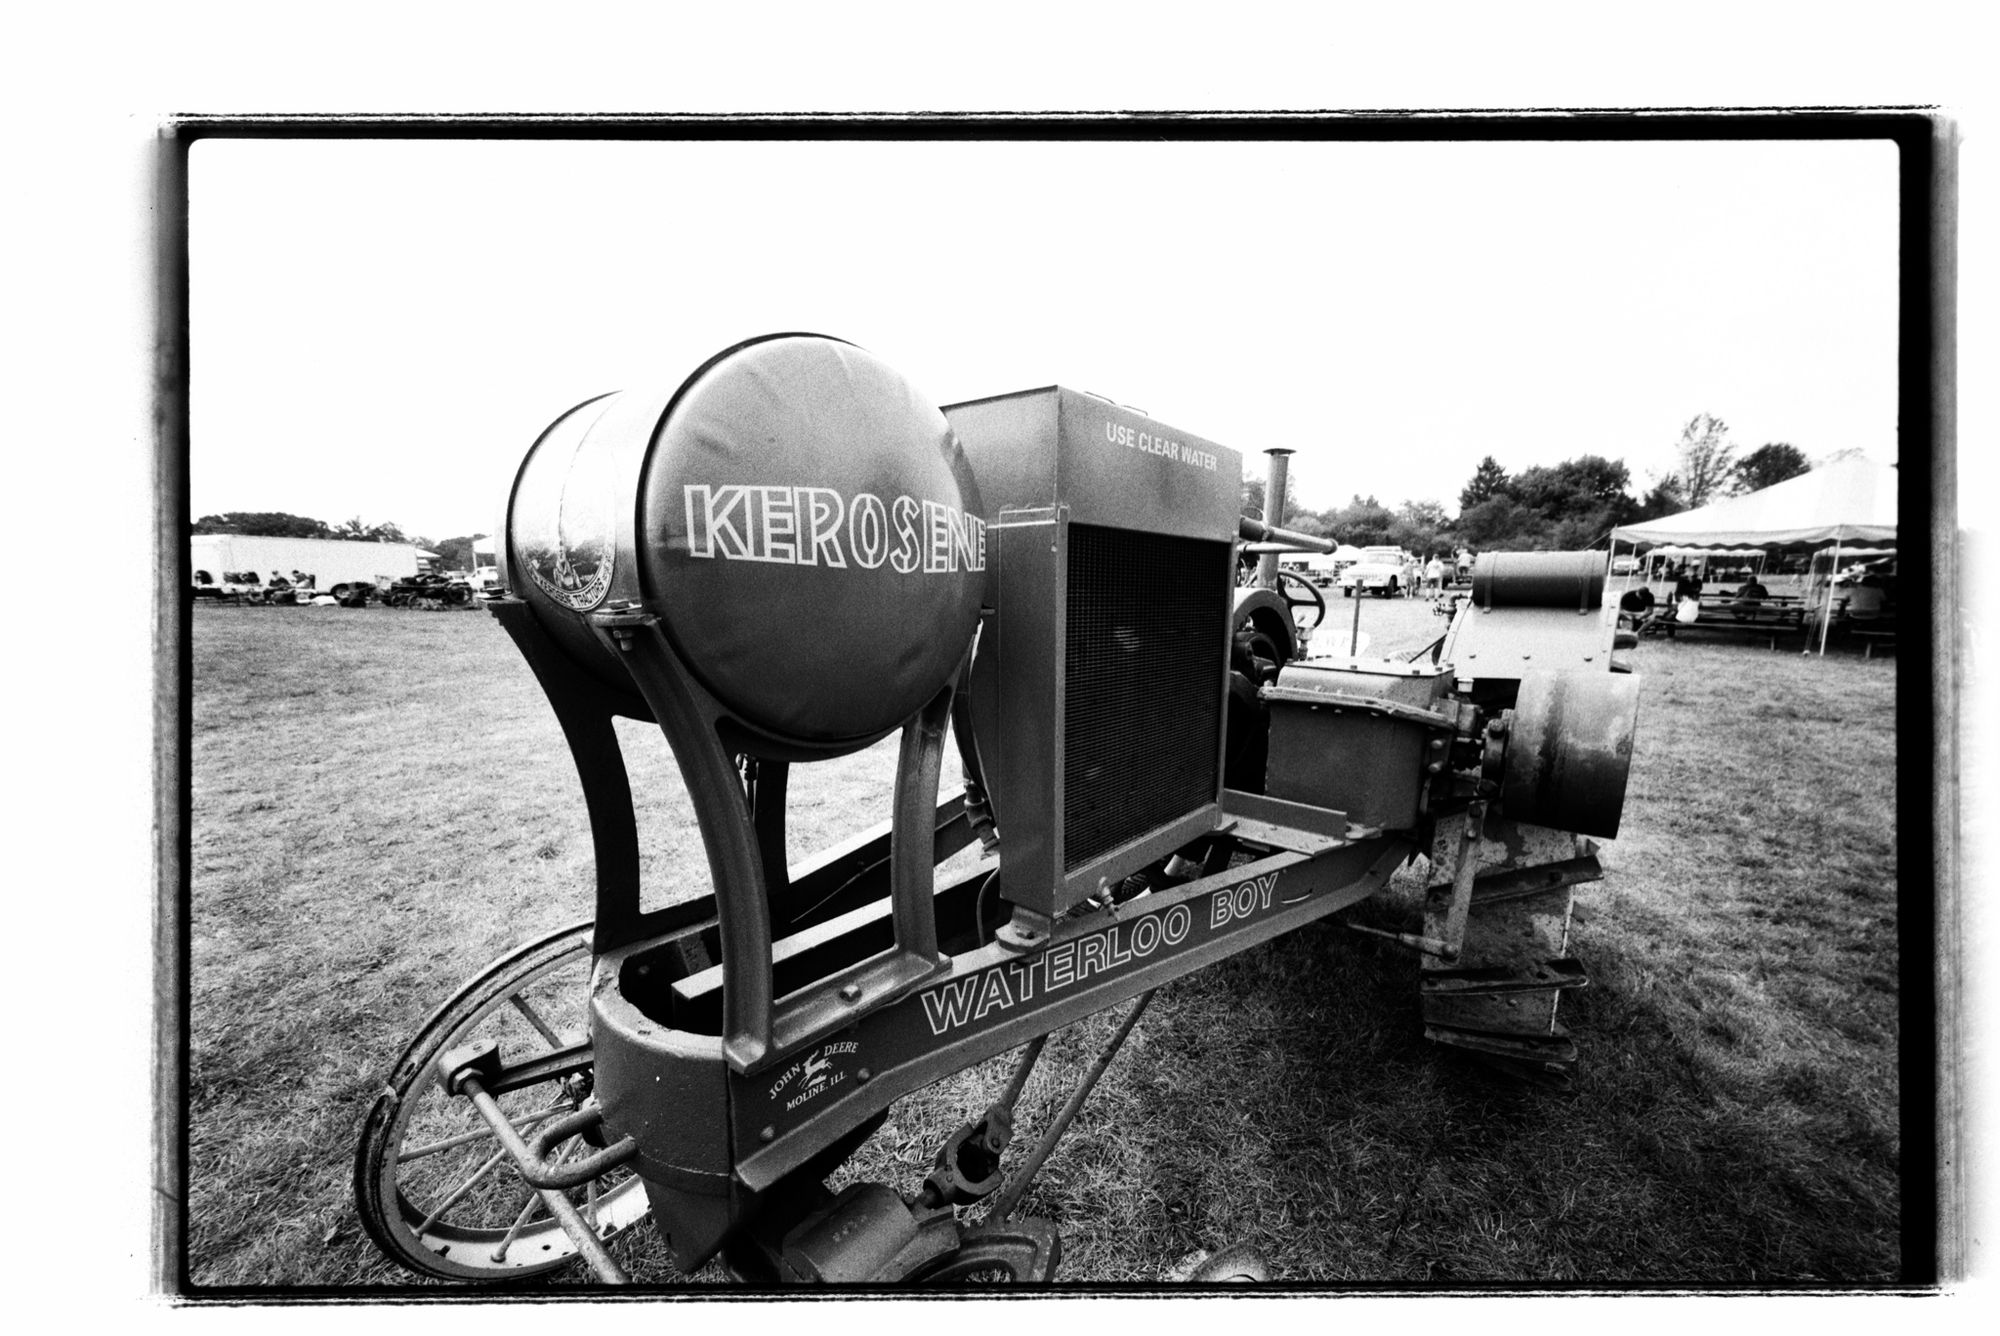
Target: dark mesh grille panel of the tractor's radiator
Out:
[1143,703]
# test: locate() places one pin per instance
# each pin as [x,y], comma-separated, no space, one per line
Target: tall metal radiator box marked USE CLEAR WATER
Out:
[1101,675]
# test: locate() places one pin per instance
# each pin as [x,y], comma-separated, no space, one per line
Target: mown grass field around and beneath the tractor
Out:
[383,803]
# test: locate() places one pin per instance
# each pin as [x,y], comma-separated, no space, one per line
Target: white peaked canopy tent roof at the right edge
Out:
[1843,505]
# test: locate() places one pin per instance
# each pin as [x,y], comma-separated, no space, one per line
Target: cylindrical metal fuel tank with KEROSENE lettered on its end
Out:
[801,519]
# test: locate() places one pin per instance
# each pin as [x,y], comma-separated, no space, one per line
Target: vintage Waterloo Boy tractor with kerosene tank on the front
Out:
[793,555]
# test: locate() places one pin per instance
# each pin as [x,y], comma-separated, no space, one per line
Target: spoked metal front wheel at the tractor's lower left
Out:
[435,1187]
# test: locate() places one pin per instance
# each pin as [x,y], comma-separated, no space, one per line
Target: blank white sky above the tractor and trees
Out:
[381,329]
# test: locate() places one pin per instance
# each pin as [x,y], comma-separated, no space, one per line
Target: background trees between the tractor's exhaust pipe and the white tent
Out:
[1551,507]
